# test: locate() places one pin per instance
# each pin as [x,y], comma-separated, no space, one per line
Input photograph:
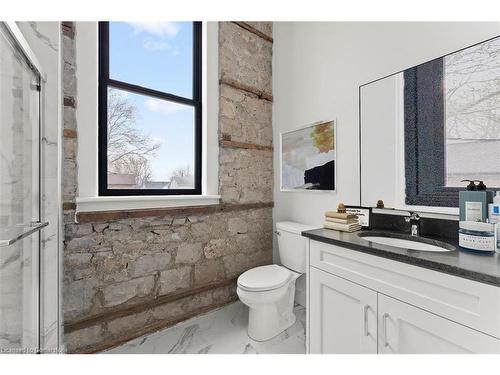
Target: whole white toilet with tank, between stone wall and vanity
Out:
[269,291]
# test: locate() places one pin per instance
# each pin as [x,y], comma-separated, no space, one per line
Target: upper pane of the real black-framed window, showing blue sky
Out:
[156,55]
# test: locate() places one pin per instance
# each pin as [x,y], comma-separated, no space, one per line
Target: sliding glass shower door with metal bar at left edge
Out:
[19,199]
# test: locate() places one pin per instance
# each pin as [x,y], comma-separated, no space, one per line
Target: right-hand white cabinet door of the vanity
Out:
[406,329]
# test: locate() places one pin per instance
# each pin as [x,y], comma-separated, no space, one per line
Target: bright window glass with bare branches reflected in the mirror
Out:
[472,83]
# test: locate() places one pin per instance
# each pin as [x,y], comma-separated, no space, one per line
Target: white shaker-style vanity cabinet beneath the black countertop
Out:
[360,303]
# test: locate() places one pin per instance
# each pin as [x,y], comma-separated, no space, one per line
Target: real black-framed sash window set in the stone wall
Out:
[150,97]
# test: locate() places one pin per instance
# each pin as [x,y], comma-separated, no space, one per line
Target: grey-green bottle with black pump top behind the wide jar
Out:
[473,202]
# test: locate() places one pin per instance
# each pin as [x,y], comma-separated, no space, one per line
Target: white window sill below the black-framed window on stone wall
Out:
[96,204]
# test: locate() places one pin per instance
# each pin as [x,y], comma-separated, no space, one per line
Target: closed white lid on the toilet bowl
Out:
[264,278]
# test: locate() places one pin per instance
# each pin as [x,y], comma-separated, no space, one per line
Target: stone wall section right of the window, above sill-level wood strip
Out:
[245,113]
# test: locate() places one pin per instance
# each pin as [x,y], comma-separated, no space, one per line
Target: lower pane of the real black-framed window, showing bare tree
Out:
[150,142]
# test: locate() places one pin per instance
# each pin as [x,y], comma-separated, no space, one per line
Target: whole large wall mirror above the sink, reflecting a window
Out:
[427,128]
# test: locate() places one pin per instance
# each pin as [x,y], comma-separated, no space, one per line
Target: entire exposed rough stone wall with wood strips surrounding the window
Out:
[124,277]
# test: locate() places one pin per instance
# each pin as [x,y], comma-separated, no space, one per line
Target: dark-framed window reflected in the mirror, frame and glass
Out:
[452,124]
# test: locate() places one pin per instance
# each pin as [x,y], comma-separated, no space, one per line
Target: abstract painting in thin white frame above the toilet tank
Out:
[318,155]
